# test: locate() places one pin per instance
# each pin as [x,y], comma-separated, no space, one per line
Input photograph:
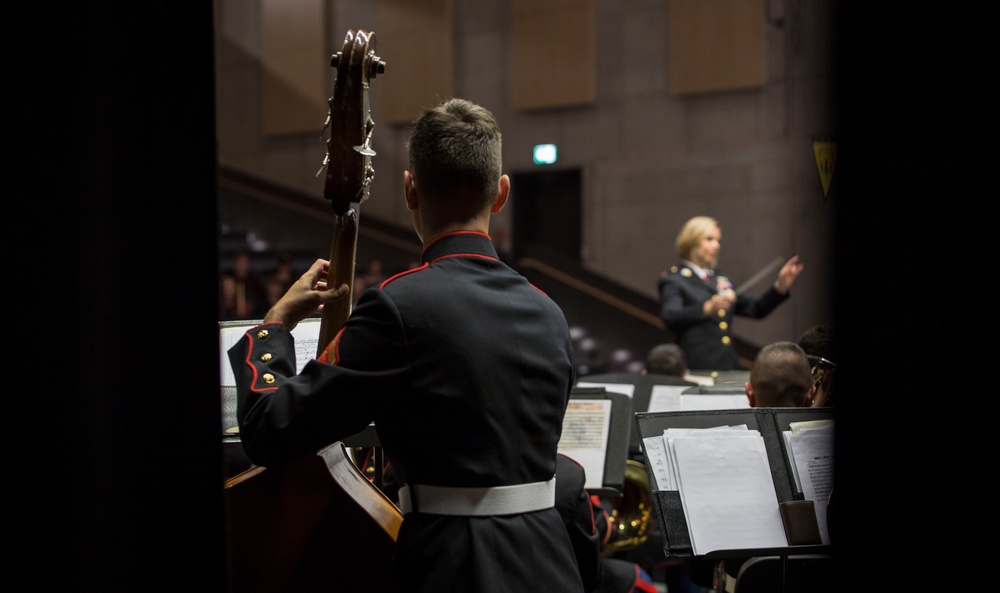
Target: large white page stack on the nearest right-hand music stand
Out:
[726,491]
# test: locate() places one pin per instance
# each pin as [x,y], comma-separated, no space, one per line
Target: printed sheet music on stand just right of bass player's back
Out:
[585,436]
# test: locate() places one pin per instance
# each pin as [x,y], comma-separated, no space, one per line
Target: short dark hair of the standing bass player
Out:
[455,150]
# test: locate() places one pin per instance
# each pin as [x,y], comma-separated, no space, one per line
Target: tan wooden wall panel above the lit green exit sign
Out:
[553,53]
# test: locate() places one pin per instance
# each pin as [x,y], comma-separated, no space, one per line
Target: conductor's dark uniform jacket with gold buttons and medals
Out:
[707,342]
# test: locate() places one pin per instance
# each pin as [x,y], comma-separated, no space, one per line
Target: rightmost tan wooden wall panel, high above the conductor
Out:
[716,45]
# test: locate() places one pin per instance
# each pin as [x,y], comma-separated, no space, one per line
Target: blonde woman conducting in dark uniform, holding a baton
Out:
[698,303]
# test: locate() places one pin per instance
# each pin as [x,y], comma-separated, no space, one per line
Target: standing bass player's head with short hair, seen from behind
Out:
[454,181]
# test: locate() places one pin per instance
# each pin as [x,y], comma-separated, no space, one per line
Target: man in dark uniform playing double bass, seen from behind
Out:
[464,367]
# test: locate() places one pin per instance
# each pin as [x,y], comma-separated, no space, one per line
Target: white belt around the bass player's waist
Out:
[499,500]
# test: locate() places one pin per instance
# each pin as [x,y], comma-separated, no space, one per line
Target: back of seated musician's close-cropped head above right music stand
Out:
[780,377]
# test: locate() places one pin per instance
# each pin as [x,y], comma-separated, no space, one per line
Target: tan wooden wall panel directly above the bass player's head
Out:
[415,38]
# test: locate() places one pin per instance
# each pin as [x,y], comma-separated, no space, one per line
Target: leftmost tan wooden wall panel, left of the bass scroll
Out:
[295,67]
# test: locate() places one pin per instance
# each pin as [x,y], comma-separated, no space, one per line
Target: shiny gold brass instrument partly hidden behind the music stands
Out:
[632,512]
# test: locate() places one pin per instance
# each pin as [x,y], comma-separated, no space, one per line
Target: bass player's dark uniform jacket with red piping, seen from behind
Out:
[466,370]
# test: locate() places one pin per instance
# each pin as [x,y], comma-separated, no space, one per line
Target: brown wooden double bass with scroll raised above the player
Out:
[319,524]
